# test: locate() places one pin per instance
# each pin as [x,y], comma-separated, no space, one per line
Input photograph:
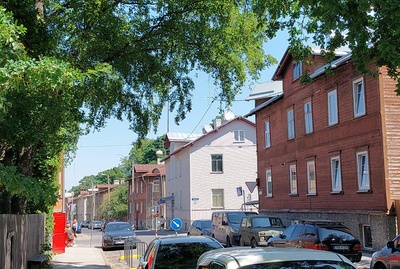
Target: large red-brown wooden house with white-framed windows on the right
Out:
[330,149]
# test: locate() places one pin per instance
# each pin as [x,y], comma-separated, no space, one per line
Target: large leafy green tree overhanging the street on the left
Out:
[78,63]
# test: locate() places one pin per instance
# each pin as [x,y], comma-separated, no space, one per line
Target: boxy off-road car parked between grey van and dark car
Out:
[256,230]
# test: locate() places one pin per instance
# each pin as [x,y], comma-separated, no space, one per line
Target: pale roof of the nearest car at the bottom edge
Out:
[246,255]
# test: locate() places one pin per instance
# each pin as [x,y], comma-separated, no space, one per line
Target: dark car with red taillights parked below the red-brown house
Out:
[321,235]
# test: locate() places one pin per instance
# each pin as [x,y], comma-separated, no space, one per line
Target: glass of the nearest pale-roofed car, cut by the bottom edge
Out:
[300,265]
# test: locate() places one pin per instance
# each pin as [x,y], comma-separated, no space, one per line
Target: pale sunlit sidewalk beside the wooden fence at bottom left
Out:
[80,257]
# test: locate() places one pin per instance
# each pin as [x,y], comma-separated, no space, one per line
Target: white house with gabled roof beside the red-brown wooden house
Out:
[210,172]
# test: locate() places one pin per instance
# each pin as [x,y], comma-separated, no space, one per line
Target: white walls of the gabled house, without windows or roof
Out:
[190,179]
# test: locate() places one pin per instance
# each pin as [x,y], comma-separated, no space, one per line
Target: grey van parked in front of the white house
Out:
[225,226]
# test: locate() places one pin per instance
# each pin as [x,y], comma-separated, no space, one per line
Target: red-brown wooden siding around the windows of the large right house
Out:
[344,139]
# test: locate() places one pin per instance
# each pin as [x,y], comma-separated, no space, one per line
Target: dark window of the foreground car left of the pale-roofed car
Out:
[182,255]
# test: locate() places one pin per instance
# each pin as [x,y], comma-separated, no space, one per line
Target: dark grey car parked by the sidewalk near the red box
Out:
[115,234]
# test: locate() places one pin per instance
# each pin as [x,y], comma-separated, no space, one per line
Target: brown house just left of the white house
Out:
[145,191]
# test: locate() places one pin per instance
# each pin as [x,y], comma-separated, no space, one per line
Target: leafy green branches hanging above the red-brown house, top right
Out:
[366,26]
